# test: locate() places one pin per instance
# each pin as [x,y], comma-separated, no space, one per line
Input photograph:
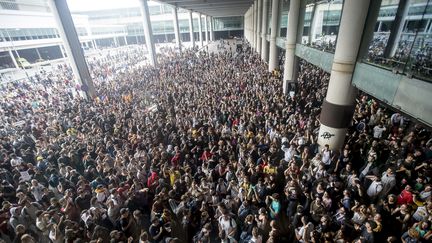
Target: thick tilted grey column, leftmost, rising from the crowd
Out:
[72,45]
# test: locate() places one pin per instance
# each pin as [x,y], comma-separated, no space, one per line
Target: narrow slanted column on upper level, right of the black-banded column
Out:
[397,28]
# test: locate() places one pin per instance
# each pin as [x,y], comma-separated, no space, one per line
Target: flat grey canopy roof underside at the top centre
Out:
[215,8]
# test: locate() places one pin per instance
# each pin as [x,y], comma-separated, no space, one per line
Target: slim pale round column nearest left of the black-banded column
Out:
[291,39]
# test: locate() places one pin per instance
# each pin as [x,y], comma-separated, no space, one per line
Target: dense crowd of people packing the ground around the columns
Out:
[204,148]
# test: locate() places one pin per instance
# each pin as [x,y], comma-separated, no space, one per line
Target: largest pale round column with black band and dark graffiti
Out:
[339,104]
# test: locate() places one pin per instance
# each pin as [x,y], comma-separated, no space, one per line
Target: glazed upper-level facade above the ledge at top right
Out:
[408,51]
